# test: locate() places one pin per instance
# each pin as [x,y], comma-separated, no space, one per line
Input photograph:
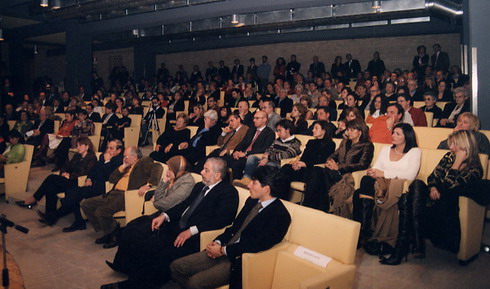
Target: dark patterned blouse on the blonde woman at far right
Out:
[444,178]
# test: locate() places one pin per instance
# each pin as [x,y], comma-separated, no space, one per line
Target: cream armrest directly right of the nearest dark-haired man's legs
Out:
[258,268]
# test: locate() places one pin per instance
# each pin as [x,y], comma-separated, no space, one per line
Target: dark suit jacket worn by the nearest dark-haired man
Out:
[264,231]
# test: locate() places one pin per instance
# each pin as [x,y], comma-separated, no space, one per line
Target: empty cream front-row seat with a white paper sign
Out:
[279,268]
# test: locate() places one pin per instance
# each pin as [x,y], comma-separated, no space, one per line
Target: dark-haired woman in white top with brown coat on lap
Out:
[383,187]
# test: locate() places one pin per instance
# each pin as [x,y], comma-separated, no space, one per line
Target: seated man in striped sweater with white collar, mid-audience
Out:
[284,147]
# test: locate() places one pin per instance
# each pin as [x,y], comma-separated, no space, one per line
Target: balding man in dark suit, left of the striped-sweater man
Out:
[256,141]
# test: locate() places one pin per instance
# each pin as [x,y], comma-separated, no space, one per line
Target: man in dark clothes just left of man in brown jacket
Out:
[94,184]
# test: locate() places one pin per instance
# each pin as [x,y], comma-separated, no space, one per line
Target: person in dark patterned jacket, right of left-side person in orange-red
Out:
[84,127]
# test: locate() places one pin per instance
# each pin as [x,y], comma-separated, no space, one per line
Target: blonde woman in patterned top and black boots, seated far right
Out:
[432,210]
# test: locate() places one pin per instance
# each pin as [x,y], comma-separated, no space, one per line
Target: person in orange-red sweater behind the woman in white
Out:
[383,125]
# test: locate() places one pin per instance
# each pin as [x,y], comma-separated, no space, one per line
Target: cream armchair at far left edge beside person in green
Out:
[17,176]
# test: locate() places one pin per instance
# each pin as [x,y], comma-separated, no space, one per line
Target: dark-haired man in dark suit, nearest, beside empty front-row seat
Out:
[261,224]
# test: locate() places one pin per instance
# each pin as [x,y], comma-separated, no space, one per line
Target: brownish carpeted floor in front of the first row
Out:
[50,259]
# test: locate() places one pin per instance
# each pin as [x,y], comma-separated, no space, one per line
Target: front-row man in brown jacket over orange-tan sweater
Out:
[136,172]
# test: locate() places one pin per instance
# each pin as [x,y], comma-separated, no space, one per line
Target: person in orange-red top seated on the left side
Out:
[53,140]
